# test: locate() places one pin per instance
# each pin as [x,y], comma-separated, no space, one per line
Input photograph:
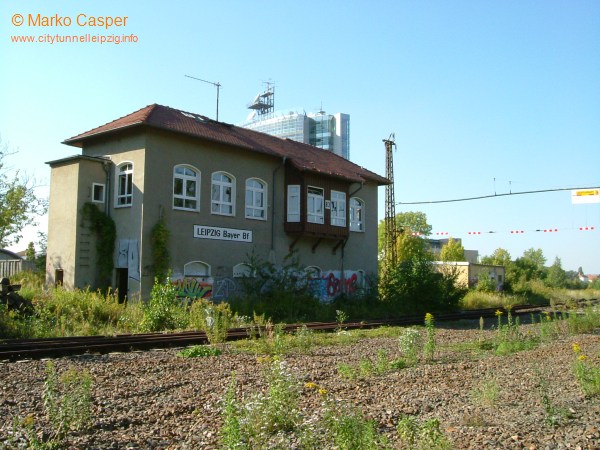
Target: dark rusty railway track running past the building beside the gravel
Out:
[18,349]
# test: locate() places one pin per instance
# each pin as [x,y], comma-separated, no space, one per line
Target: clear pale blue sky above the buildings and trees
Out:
[483,96]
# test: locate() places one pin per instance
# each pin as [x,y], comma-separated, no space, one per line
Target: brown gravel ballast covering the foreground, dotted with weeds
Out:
[156,399]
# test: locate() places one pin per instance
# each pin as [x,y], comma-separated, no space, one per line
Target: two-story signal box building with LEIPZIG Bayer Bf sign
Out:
[222,191]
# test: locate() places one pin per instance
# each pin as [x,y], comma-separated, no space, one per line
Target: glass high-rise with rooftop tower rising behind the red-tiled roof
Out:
[327,131]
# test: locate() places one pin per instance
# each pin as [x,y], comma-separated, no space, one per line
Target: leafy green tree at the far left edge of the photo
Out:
[19,206]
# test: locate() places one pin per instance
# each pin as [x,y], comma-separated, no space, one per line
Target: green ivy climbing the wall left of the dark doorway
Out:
[104,228]
